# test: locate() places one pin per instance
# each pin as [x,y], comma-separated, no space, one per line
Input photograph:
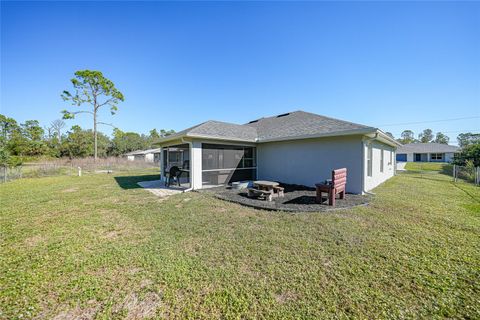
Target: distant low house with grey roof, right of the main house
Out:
[426,152]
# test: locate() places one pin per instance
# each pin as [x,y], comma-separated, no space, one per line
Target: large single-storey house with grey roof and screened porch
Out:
[295,148]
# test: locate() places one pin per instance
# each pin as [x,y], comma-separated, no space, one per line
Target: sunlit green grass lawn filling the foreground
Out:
[99,247]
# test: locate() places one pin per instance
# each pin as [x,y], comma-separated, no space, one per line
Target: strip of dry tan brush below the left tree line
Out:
[62,167]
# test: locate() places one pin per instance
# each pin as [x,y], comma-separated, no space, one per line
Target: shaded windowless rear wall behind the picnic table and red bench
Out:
[310,161]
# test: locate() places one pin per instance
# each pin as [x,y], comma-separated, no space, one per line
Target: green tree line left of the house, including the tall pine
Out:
[92,91]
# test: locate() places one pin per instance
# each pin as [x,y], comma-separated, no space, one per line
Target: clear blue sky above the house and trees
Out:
[182,63]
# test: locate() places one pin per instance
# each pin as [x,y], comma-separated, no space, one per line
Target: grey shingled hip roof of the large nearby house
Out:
[287,126]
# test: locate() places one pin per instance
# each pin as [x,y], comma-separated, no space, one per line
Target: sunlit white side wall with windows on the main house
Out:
[377,176]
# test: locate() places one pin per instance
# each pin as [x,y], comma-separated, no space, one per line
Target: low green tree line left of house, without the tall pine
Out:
[19,141]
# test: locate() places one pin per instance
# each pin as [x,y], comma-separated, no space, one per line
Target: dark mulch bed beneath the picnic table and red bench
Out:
[296,199]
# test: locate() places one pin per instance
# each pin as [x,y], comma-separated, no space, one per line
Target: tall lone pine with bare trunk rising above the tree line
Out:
[93,89]
